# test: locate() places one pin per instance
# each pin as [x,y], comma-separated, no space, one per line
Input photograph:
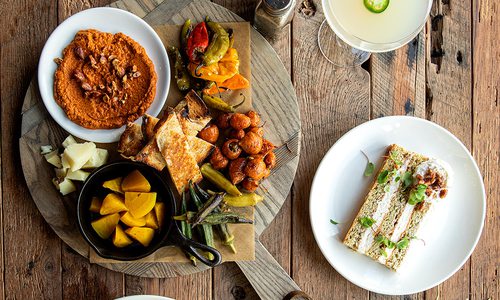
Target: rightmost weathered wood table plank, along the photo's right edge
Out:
[486,144]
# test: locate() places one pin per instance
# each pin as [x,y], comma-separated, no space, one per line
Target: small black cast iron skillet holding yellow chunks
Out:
[168,235]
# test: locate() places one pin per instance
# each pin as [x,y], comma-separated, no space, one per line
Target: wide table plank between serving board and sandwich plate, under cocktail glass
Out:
[332,101]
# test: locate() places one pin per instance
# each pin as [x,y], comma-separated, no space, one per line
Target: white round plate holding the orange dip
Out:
[104,19]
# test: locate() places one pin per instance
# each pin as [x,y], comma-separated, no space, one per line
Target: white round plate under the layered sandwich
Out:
[450,232]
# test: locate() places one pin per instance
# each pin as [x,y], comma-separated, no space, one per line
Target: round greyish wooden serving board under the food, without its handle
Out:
[273,96]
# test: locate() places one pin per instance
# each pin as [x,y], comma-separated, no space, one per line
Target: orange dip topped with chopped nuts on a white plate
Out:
[104,80]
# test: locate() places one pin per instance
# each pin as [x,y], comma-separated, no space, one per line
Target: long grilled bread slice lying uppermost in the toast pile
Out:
[175,149]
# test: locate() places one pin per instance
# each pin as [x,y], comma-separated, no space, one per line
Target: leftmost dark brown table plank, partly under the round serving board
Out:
[31,252]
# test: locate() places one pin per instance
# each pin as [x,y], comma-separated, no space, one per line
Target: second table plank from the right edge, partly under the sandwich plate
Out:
[448,99]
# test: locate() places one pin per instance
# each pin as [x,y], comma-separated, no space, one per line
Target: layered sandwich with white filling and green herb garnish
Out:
[406,187]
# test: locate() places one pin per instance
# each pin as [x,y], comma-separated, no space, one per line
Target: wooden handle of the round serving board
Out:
[268,278]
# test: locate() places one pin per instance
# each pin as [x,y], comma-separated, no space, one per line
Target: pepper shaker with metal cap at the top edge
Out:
[272,15]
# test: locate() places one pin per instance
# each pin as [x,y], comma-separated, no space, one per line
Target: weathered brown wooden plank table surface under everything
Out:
[447,75]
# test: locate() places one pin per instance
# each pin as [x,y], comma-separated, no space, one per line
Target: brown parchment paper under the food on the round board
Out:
[244,233]
